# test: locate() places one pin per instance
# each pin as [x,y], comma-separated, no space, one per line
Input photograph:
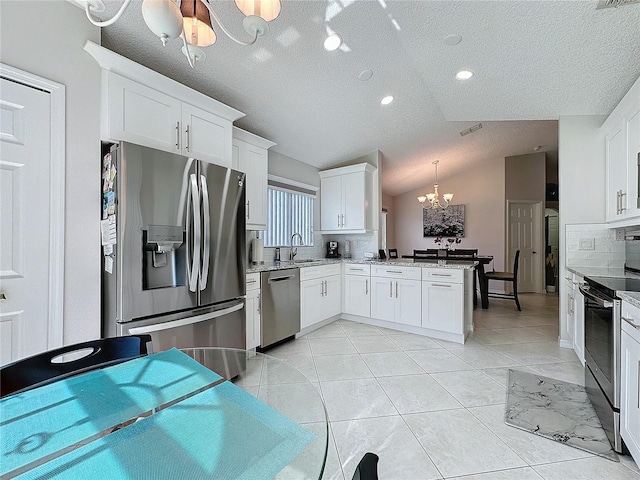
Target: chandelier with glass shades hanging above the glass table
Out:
[191,21]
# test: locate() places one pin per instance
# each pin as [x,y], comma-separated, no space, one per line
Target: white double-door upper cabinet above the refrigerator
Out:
[143,107]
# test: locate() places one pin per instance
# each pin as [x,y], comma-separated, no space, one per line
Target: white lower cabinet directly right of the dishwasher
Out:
[320,294]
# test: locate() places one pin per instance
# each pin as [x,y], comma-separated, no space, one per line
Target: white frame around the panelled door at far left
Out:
[55,322]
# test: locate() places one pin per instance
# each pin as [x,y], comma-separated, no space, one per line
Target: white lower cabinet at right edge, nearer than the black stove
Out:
[630,379]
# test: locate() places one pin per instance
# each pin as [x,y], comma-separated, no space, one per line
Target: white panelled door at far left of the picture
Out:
[25,172]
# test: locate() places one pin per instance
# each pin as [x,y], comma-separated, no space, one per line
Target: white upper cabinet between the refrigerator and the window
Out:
[250,155]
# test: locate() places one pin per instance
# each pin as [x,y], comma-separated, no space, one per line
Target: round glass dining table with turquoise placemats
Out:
[191,413]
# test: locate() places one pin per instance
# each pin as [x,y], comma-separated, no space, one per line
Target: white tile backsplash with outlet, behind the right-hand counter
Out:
[593,245]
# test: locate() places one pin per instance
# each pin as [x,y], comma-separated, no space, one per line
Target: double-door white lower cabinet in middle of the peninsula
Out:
[395,294]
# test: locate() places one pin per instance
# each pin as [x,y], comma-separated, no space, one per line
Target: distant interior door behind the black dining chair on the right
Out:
[525,231]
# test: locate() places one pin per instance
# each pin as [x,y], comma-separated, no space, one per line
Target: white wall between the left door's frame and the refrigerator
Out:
[46,38]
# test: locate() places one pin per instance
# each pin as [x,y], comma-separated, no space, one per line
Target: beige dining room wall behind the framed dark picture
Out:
[481,190]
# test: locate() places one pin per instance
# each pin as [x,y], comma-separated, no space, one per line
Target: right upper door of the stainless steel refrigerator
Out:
[224,255]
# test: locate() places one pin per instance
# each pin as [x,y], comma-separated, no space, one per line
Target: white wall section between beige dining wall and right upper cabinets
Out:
[581,186]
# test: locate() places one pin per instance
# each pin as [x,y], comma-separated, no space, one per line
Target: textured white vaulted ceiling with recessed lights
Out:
[533,61]
